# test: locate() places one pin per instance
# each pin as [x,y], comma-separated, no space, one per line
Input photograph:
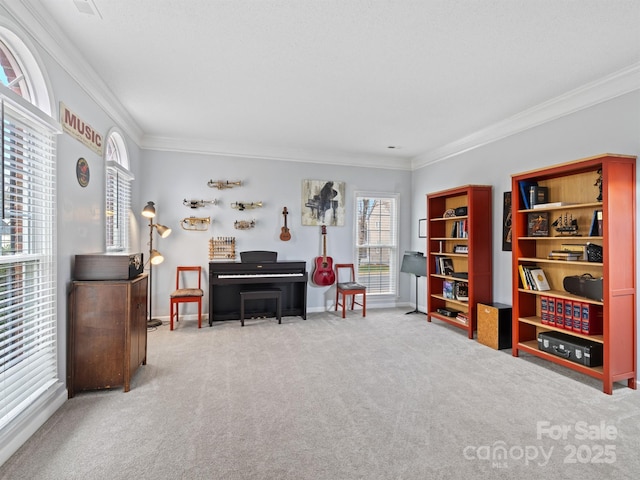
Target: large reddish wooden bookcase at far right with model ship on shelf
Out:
[605,183]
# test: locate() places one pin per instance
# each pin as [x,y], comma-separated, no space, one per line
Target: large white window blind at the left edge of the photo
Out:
[28,337]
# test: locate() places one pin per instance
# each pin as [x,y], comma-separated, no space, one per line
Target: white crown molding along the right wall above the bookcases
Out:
[611,86]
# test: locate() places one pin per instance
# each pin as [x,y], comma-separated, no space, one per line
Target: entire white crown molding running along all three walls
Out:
[48,36]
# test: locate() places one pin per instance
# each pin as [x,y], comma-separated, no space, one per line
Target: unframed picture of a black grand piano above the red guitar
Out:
[322,202]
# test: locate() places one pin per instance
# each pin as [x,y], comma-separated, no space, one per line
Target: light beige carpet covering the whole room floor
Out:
[388,396]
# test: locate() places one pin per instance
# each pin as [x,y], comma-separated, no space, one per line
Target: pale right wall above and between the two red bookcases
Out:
[611,127]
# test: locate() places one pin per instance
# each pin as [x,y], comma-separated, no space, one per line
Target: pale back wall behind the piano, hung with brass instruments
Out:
[171,177]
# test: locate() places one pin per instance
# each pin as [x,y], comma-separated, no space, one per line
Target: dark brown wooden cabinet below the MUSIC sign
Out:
[107,334]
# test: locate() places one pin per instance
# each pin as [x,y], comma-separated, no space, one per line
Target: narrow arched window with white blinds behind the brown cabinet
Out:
[117,193]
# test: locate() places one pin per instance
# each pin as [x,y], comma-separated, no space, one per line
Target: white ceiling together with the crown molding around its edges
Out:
[340,81]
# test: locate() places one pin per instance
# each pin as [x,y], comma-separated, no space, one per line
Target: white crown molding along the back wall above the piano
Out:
[325,157]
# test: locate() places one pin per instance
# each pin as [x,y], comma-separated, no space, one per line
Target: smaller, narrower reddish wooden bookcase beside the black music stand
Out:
[459,236]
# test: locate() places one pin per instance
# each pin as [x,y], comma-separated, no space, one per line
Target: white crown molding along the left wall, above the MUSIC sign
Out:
[50,39]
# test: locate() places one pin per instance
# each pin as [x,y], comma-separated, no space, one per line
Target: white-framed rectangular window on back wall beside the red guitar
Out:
[363,264]
